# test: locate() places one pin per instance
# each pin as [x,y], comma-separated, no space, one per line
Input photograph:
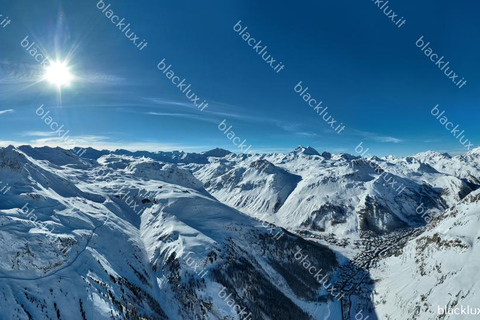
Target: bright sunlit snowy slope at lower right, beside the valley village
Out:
[436,271]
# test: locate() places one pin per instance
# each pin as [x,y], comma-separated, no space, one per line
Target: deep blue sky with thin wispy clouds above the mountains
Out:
[365,69]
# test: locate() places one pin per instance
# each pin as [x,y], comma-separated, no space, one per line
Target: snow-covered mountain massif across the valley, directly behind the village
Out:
[338,194]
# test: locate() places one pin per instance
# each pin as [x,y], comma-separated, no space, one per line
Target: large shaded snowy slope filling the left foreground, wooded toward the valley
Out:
[132,238]
